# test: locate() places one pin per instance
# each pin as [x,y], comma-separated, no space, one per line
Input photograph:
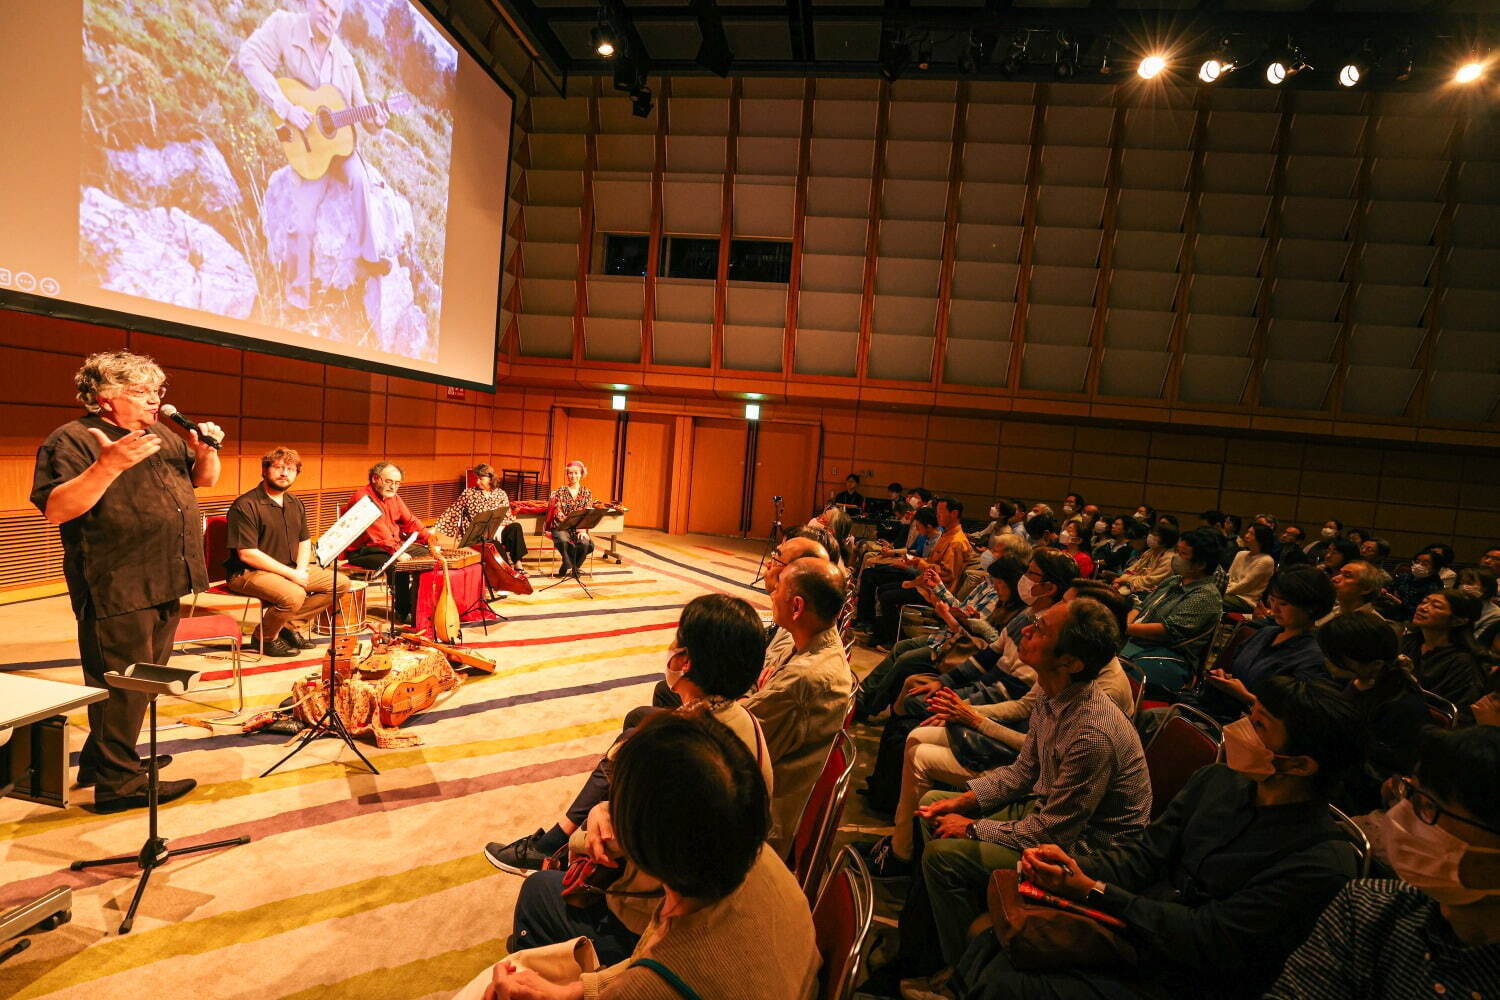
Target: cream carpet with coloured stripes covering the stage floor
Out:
[356,885]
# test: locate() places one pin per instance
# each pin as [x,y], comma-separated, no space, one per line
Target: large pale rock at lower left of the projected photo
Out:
[164,254]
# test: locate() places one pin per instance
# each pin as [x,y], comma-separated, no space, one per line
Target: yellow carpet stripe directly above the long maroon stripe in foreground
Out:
[388,761]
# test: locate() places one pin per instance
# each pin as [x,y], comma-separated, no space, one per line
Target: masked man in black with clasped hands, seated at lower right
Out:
[1225,882]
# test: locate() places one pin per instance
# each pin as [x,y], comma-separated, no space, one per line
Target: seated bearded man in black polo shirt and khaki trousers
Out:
[271,558]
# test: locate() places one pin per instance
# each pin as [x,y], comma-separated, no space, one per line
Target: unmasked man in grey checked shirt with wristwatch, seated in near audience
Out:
[1084,764]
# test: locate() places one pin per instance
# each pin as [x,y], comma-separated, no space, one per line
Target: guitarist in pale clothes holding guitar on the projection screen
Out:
[307,76]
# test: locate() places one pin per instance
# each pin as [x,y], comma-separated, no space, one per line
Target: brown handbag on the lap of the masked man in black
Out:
[1040,936]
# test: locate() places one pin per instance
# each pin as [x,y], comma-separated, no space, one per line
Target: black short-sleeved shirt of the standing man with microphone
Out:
[142,545]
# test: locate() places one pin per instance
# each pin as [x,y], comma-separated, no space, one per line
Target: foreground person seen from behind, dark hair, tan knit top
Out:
[692,812]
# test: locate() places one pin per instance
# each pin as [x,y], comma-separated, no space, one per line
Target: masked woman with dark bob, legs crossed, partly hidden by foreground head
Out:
[715,660]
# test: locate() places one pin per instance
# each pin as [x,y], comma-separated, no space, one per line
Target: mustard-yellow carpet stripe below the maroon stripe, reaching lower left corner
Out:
[239,927]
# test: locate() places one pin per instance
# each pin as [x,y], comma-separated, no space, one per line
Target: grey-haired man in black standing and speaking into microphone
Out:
[122,491]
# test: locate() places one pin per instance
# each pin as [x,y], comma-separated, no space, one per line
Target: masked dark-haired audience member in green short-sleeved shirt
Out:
[1174,626]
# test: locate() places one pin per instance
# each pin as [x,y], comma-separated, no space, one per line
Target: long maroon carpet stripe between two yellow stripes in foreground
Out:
[17,893]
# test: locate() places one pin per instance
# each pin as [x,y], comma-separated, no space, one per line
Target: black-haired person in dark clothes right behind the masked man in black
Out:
[1363,654]
